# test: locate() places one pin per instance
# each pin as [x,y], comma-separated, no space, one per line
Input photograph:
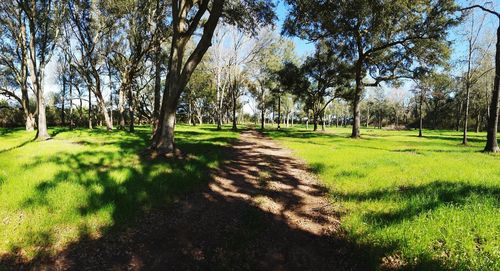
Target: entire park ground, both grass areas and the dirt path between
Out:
[302,201]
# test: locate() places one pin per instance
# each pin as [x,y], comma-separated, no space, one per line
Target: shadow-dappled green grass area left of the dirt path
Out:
[84,183]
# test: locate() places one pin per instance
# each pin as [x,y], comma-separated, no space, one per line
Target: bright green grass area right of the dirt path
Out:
[421,203]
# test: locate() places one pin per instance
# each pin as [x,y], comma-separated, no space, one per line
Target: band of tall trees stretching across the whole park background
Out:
[126,62]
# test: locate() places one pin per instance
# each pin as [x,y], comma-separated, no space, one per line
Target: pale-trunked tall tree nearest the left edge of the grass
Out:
[29,31]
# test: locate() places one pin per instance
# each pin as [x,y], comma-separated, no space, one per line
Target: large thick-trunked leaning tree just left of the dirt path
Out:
[189,17]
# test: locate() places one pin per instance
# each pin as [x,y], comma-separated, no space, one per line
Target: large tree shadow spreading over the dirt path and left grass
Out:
[218,225]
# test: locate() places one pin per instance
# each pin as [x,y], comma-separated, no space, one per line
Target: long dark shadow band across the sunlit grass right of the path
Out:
[416,201]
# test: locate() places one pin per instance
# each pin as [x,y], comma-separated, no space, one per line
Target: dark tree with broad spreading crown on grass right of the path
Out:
[381,39]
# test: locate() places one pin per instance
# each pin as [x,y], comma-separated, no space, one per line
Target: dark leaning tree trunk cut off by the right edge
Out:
[491,139]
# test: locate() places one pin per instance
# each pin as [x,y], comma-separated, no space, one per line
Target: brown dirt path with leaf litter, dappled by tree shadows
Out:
[262,211]
